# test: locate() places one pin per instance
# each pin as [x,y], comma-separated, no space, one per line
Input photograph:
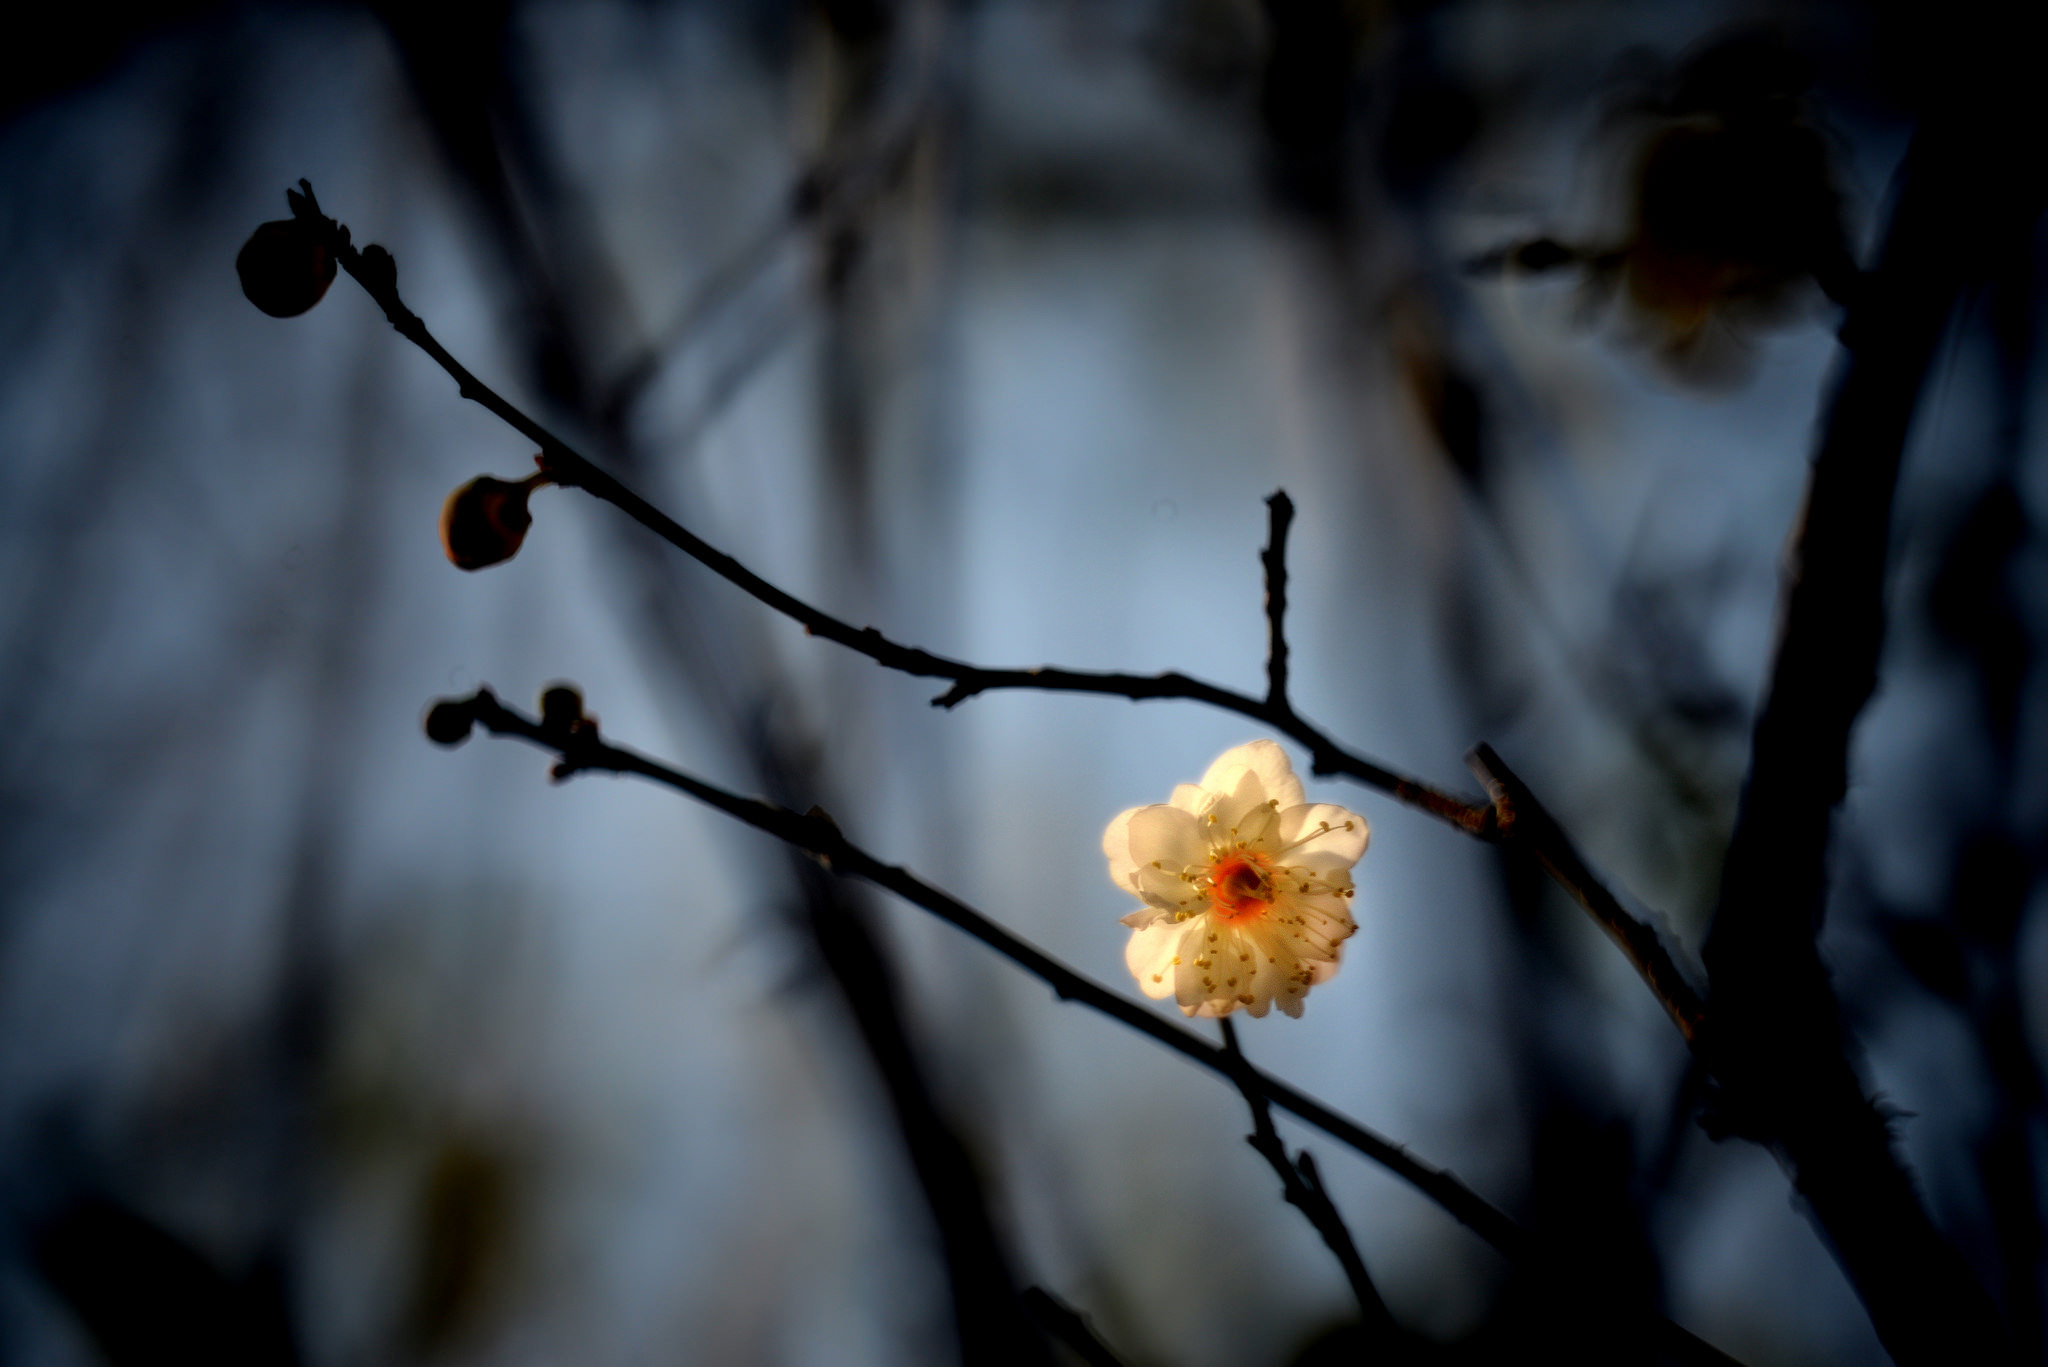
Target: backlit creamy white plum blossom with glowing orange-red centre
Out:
[1246,886]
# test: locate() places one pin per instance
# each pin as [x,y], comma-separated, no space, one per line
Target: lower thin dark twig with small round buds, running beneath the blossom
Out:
[581,749]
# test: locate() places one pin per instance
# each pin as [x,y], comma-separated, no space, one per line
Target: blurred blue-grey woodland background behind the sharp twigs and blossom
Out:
[992,325]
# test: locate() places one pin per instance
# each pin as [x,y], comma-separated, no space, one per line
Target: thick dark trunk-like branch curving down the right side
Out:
[1779,1046]
